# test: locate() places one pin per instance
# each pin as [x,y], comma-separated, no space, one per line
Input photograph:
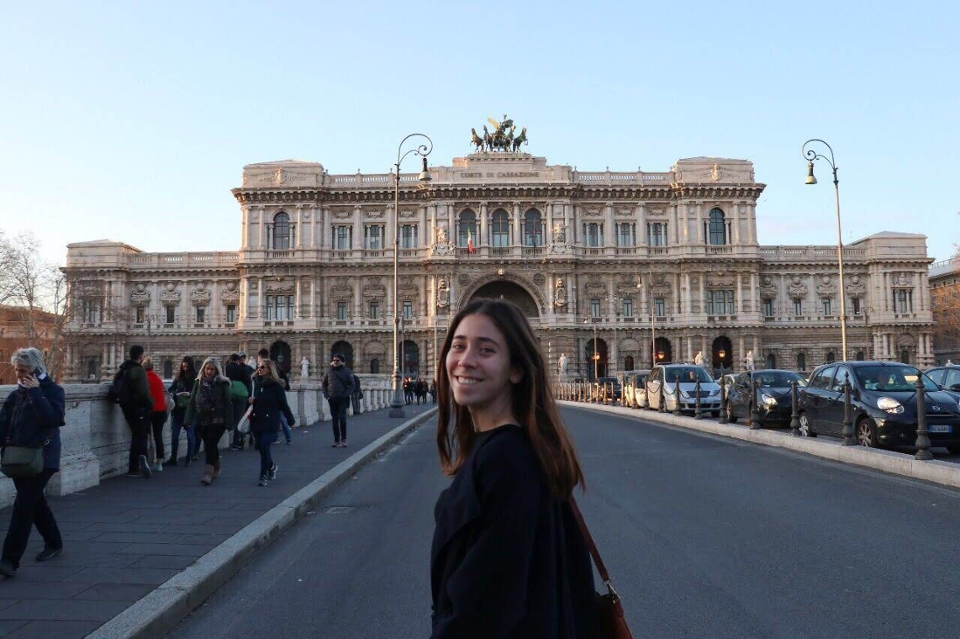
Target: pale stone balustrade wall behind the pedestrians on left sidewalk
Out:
[96,439]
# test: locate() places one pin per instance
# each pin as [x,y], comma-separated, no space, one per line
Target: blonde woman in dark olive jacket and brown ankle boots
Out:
[211,407]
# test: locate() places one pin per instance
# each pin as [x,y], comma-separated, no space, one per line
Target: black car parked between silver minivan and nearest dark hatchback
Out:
[773,397]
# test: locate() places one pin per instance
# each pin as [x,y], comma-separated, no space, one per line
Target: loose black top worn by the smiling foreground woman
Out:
[508,559]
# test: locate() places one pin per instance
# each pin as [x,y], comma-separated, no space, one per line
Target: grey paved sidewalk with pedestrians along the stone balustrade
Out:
[128,535]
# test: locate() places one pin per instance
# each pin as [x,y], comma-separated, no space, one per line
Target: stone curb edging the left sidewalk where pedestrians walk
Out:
[161,610]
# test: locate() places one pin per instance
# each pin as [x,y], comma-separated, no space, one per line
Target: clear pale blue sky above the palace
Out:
[132,120]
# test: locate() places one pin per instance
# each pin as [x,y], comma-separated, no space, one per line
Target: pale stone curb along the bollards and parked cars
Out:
[887,461]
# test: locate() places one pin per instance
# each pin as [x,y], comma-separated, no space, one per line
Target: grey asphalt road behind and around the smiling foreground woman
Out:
[706,538]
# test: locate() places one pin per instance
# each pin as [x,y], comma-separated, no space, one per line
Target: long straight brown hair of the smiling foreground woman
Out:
[533,402]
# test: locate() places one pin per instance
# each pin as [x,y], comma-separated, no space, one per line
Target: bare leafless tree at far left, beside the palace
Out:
[36,290]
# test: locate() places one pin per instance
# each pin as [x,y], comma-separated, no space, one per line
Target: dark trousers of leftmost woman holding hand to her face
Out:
[30,509]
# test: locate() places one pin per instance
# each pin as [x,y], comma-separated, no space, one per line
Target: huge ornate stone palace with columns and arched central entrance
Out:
[614,269]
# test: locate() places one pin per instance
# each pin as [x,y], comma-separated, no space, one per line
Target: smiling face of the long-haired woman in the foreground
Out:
[478,363]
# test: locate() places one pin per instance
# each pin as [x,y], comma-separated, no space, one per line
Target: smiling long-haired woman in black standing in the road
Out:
[508,558]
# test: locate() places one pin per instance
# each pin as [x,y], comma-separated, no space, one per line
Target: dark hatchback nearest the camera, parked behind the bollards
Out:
[883,401]
